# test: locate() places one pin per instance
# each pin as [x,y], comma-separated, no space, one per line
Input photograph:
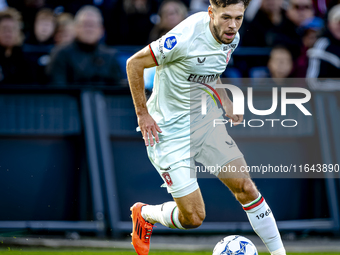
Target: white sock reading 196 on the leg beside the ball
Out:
[263,222]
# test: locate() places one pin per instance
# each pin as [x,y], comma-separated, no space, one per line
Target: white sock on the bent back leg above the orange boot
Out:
[166,214]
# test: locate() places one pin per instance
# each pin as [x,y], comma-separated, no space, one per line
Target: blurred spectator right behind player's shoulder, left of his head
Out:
[171,13]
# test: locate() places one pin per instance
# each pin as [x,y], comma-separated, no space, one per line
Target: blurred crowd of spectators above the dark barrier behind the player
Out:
[80,42]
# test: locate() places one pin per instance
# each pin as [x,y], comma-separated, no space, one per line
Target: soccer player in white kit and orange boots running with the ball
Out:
[195,52]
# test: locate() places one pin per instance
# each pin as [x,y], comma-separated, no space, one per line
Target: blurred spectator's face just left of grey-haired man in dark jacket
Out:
[65,32]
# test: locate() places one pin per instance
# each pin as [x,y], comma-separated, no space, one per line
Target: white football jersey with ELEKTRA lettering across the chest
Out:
[186,57]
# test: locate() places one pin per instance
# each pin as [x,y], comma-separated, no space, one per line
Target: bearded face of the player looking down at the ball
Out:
[226,21]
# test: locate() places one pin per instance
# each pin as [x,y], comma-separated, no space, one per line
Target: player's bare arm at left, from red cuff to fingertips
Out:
[135,69]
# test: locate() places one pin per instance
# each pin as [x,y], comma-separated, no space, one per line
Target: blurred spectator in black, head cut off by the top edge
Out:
[129,22]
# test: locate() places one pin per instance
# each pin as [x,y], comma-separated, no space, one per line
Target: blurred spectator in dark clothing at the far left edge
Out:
[12,63]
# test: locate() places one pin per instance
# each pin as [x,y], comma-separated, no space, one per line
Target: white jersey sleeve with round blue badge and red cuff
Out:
[169,48]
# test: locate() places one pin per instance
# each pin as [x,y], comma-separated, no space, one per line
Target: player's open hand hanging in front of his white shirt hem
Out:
[149,128]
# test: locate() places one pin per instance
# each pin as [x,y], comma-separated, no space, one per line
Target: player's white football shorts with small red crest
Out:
[174,158]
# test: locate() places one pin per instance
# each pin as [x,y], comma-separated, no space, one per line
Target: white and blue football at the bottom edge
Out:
[235,245]
